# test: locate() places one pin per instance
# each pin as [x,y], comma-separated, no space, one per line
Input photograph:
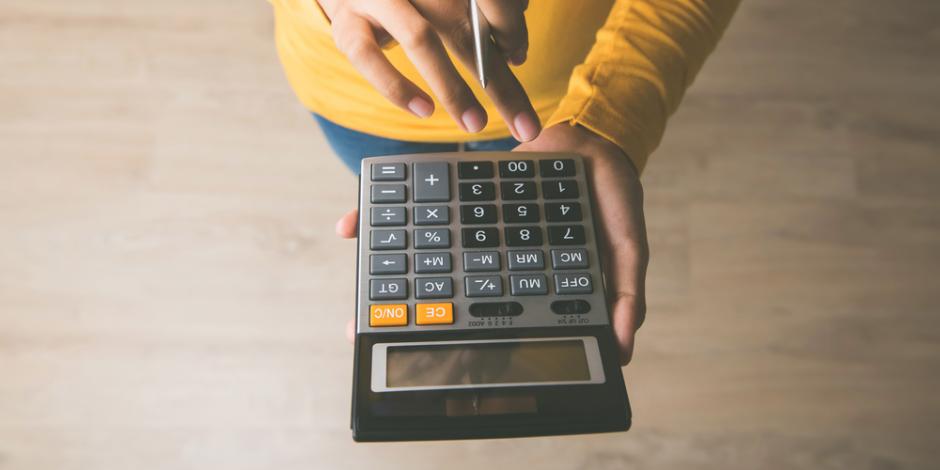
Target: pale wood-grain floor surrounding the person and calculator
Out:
[172,296]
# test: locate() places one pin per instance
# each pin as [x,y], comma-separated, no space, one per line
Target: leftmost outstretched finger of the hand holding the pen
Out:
[355,38]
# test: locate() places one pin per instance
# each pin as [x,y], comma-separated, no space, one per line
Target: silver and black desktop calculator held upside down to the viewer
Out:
[480,309]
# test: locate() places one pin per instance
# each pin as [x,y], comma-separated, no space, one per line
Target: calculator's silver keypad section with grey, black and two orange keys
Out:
[471,241]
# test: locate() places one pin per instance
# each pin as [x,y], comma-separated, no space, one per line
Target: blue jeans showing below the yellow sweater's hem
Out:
[352,146]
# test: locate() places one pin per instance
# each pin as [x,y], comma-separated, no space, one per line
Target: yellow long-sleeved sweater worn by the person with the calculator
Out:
[617,67]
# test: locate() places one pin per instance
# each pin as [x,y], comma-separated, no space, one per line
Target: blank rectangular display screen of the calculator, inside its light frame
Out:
[485,363]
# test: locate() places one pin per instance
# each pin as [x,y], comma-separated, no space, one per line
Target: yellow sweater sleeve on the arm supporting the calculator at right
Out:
[644,57]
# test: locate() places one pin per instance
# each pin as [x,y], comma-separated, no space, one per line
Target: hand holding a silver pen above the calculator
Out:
[423,28]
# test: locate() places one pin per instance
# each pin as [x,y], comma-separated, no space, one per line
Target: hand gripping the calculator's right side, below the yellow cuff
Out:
[618,210]
